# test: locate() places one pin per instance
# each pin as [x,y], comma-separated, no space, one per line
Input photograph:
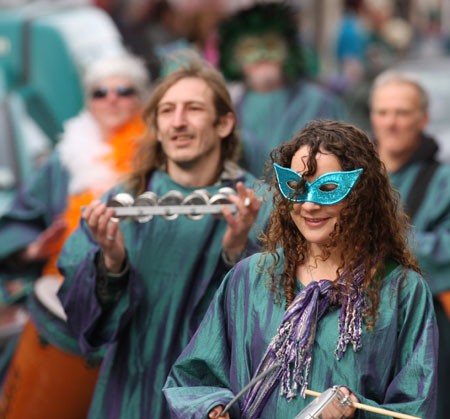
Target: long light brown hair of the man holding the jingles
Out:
[150,155]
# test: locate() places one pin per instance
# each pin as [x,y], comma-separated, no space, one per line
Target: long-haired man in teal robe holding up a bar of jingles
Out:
[141,289]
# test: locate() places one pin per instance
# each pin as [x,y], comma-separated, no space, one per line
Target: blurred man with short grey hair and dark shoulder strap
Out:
[399,115]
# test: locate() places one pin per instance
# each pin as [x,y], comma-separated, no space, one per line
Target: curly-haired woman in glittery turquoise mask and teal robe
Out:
[336,298]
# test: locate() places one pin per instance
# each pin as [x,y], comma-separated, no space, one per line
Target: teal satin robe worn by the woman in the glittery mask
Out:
[396,368]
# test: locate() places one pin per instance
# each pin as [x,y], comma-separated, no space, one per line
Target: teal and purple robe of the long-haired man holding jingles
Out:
[173,278]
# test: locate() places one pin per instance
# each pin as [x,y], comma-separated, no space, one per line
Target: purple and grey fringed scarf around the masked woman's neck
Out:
[292,346]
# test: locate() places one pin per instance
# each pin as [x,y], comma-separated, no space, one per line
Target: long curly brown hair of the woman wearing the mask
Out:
[371,229]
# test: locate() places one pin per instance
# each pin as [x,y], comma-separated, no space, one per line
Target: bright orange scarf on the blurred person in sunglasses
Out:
[123,145]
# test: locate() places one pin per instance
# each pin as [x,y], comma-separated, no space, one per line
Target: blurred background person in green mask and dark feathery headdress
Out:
[261,58]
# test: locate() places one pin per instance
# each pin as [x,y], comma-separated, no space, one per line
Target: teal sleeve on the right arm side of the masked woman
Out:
[412,388]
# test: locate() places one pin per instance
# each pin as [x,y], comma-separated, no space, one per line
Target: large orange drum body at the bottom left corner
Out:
[46,382]
